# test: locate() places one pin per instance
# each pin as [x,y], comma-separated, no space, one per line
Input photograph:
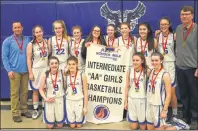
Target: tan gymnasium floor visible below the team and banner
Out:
[7,122]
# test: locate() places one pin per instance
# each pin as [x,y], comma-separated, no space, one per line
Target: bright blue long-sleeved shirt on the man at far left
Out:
[13,59]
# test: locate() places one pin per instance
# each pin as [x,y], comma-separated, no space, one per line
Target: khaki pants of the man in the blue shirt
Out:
[19,82]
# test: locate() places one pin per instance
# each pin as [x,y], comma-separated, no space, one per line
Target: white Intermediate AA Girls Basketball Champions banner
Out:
[106,77]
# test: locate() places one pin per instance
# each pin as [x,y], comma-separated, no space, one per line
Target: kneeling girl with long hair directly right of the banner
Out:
[135,92]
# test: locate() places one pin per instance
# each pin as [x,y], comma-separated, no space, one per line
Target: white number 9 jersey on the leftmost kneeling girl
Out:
[58,91]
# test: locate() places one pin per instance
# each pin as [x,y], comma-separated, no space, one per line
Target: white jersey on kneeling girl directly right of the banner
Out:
[142,85]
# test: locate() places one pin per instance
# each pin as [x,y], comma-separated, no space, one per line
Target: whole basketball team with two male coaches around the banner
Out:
[55,70]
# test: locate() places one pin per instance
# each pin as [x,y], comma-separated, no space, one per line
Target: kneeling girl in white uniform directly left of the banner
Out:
[76,94]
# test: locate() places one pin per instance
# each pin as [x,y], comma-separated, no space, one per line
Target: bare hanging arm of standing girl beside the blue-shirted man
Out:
[29,60]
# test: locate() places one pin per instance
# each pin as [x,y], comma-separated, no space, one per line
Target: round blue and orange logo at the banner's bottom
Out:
[101,112]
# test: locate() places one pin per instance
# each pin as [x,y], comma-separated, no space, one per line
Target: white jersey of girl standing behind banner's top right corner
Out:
[125,43]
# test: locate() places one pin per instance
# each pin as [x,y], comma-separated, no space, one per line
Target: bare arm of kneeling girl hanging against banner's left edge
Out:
[84,79]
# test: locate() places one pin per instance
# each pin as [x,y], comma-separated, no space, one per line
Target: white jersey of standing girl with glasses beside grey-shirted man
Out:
[169,51]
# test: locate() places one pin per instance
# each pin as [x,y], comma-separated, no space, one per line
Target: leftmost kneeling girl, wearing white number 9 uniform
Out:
[52,91]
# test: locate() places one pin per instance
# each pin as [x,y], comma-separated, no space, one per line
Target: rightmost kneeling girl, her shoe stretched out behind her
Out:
[159,96]
